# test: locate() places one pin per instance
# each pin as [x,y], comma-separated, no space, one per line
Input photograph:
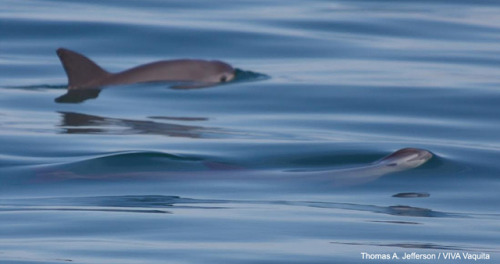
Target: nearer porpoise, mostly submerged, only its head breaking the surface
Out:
[403,159]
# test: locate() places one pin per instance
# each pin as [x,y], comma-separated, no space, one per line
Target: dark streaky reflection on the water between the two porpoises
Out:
[76,123]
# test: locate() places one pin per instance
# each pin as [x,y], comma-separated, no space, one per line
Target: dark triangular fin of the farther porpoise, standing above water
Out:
[81,71]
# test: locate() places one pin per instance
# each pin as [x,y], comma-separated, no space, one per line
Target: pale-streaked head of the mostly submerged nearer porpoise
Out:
[406,158]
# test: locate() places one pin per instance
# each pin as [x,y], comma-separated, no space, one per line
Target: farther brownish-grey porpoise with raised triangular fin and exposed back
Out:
[84,73]
